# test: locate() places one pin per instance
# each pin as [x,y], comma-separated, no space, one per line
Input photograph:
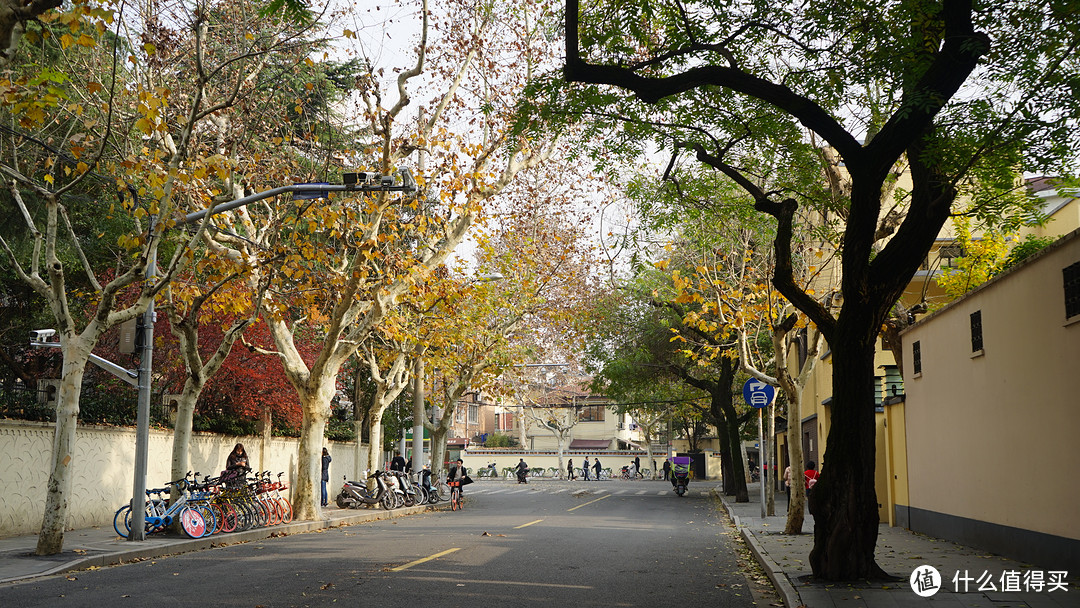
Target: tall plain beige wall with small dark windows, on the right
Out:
[993,438]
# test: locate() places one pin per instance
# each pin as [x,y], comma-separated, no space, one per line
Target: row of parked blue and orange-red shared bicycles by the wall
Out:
[233,502]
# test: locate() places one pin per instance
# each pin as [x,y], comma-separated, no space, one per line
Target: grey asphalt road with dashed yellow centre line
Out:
[546,544]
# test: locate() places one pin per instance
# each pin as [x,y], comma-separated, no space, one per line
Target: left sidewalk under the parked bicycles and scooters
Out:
[102,547]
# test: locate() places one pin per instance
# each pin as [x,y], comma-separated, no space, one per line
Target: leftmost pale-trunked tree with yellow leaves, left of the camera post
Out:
[92,125]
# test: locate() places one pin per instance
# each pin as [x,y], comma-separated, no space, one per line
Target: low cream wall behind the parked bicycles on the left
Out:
[104,461]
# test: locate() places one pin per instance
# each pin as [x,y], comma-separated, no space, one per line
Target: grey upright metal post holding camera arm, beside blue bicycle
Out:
[143,412]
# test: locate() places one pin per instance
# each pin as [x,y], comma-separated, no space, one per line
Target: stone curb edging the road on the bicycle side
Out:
[188,546]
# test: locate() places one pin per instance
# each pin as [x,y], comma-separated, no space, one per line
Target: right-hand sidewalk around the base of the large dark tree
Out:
[900,552]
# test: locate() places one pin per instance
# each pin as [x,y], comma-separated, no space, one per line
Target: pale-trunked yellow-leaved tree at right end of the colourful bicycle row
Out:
[341,267]
